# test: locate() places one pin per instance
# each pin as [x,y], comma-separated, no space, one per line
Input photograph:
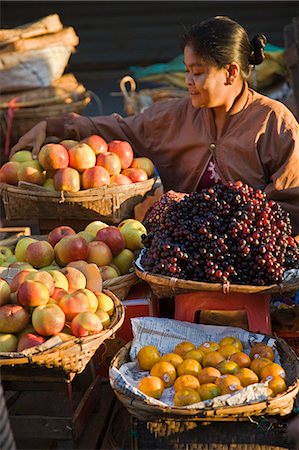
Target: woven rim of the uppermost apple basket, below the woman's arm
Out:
[38,191]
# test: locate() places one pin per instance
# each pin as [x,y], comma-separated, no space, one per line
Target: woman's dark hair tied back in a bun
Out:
[221,40]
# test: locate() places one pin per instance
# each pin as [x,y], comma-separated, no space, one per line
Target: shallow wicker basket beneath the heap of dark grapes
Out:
[163,286]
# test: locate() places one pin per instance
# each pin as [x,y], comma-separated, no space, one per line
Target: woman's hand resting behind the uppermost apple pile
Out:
[33,139]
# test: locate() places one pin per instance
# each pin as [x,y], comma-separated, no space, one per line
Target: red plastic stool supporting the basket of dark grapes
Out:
[257,307]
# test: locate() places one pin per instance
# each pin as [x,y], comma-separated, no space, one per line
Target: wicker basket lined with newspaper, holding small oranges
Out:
[280,405]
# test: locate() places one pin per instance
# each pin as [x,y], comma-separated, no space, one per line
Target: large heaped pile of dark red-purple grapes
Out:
[229,232]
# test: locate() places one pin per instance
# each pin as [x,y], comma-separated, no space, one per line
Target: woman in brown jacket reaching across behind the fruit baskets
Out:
[223,131]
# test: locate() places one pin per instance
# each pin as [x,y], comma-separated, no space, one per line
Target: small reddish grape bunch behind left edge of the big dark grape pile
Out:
[154,215]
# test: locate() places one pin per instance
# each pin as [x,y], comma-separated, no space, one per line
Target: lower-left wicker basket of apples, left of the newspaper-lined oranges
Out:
[72,355]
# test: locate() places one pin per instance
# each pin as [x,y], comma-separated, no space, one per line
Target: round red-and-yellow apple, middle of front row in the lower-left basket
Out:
[48,319]
